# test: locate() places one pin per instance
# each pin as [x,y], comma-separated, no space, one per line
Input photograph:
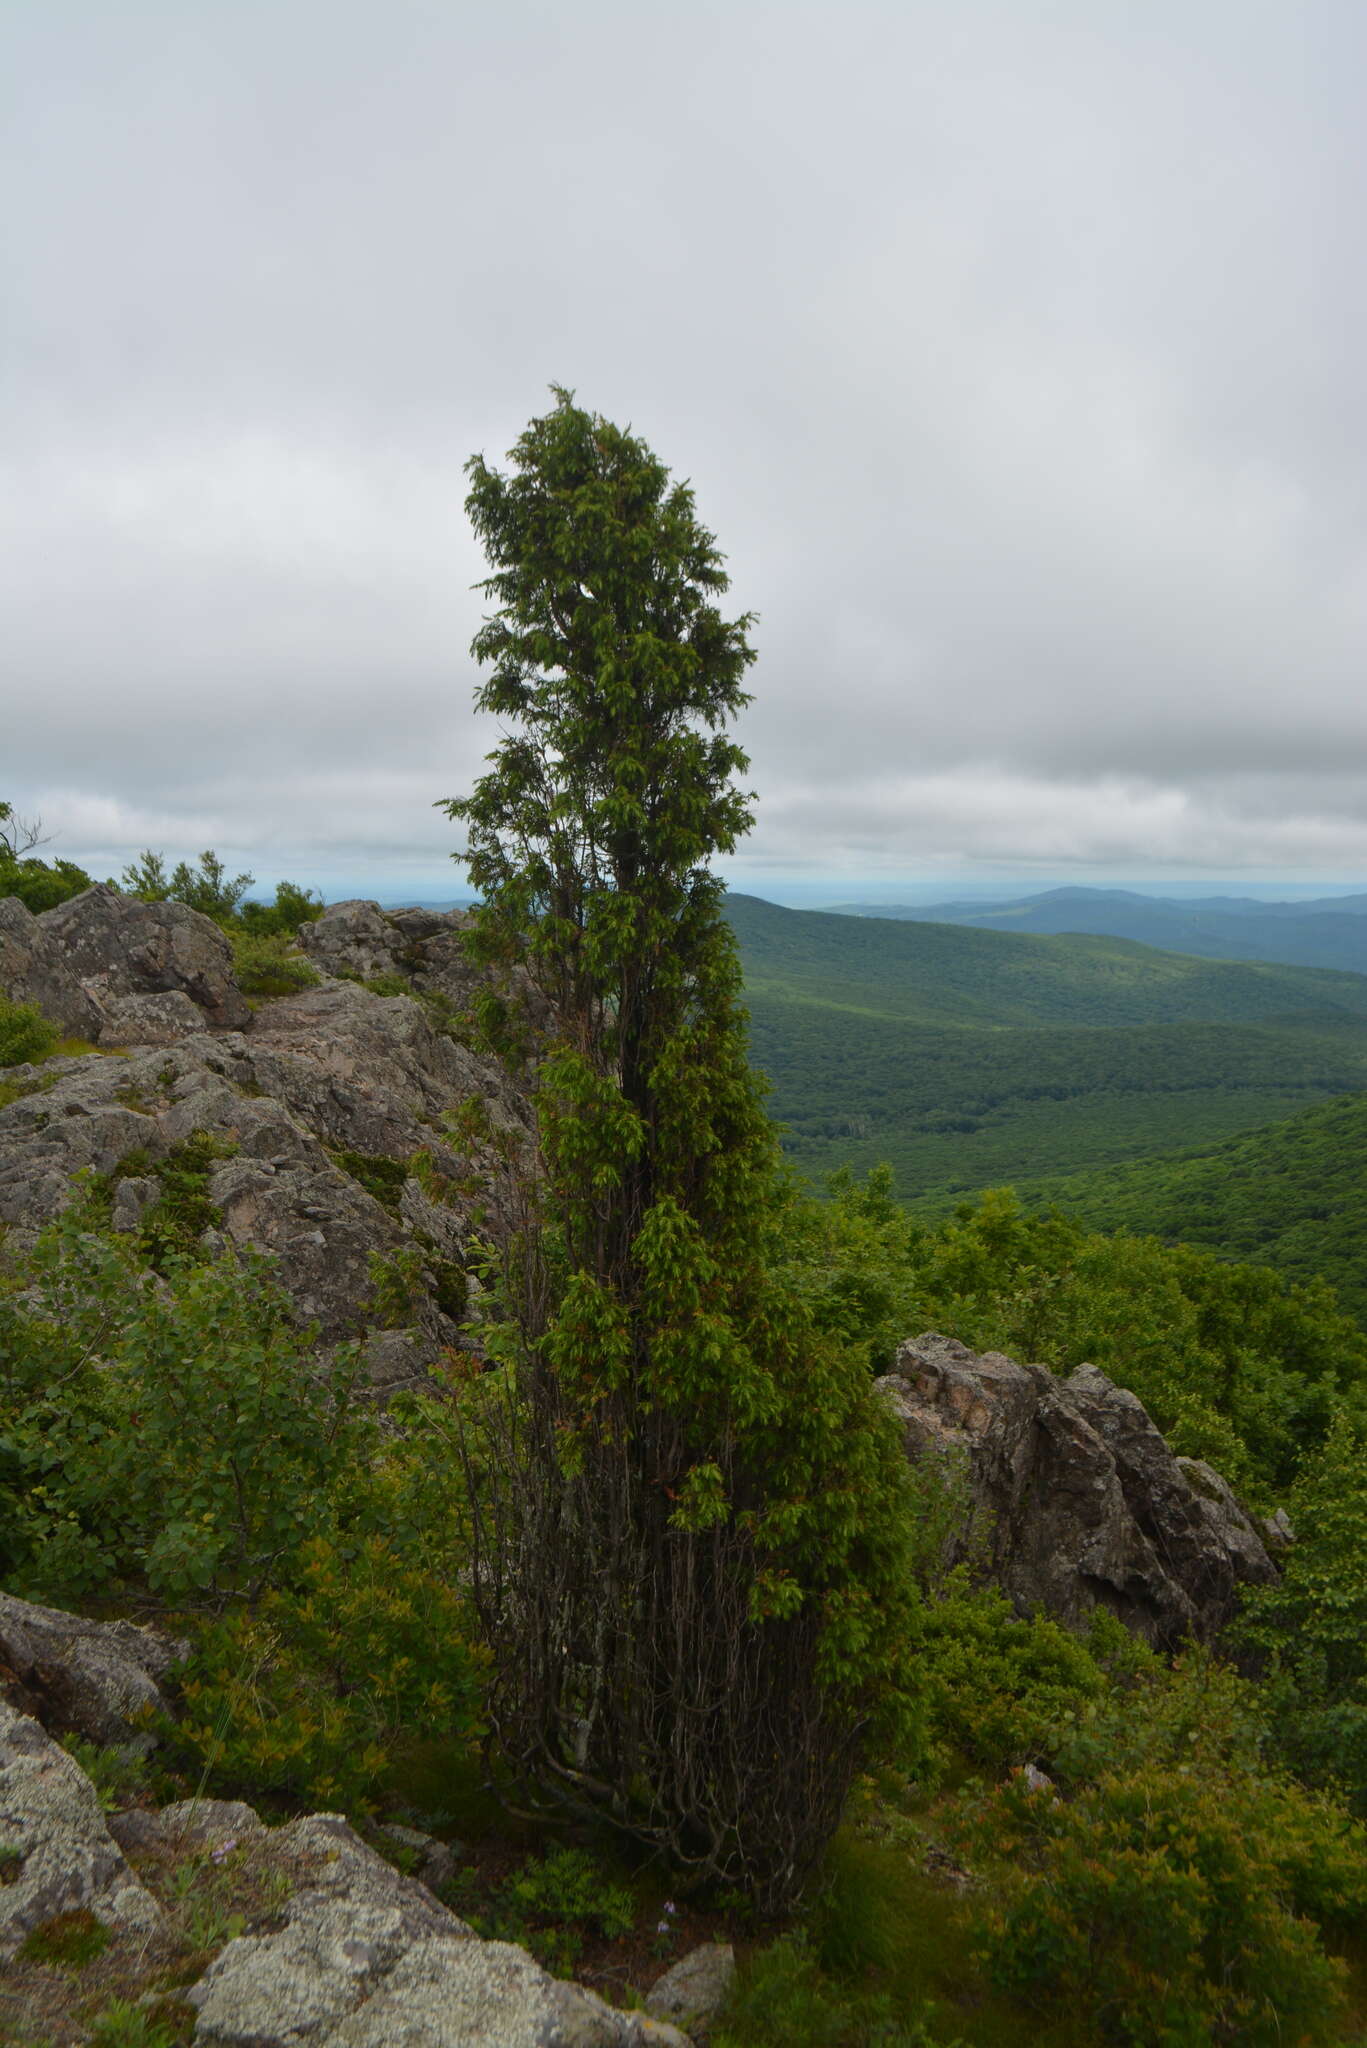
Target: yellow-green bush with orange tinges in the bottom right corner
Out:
[1179,1895]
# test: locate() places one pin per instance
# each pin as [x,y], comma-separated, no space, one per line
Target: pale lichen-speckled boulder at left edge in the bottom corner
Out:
[67,1859]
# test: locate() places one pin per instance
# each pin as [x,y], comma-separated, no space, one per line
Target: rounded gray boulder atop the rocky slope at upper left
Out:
[122,947]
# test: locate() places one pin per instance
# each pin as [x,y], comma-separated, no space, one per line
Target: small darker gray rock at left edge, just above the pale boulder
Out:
[85,1678]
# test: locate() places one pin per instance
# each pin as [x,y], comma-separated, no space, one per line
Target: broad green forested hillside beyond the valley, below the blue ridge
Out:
[972,1060]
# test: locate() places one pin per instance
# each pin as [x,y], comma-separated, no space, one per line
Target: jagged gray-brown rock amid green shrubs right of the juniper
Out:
[1073,1494]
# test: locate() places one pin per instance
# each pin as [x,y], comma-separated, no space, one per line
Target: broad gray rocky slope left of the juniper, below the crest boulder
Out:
[333,1123]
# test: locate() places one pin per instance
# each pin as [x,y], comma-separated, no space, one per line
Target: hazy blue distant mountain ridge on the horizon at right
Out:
[1319,933]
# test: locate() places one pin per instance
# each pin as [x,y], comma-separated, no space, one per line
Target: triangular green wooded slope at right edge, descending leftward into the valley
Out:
[1290,1195]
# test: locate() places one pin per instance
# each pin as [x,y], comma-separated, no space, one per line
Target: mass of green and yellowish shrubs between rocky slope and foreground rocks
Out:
[181,1441]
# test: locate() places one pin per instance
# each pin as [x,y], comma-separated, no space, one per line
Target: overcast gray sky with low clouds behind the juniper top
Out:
[1016,353]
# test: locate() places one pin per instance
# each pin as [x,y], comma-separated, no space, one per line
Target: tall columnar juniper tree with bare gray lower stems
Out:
[692,1529]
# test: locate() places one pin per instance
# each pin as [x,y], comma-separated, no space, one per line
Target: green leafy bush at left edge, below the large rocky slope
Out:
[173,1433]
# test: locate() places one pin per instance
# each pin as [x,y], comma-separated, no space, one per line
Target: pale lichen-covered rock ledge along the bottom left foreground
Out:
[341,1949]
